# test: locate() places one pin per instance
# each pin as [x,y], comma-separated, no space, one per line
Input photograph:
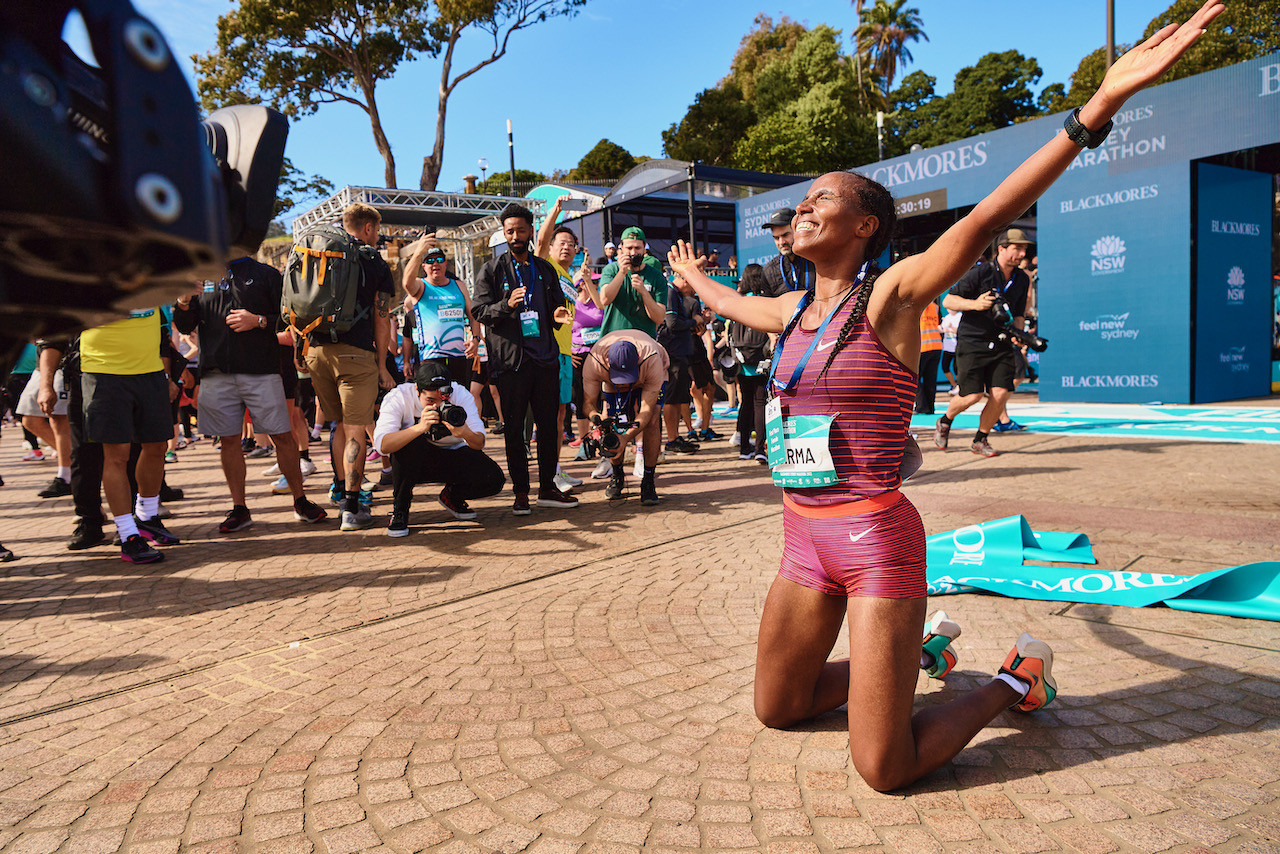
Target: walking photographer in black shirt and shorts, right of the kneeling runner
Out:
[986,360]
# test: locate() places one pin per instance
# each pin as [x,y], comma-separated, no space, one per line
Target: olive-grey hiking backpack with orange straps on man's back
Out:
[321,282]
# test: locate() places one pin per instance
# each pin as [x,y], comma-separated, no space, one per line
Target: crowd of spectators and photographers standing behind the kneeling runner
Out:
[545,349]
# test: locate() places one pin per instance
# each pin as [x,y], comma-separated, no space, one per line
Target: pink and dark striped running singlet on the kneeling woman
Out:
[871,396]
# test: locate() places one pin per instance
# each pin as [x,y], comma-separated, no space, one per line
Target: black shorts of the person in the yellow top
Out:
[126,409]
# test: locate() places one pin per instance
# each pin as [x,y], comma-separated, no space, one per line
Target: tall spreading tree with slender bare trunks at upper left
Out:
[300,54]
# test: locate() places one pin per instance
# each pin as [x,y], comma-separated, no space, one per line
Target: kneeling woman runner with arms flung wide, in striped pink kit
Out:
[843,392]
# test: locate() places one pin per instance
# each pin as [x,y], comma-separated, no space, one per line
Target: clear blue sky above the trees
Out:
[627,72]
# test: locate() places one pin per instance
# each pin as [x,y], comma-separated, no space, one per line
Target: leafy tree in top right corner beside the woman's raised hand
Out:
[1245,31]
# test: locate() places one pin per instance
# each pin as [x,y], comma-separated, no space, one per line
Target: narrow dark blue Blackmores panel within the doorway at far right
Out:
[1233,284]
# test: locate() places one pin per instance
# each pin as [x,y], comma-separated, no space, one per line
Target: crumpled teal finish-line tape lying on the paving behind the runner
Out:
[990,558]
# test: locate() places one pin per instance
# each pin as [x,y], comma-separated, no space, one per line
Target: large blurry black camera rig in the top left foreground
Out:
[117,197]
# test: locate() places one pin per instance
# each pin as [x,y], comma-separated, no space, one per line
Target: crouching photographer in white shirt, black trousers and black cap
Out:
[433,433]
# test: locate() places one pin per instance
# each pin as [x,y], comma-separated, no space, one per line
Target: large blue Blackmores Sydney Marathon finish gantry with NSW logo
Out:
[1114,234]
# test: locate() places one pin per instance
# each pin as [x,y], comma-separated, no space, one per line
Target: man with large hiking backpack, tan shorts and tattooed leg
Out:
[337,299]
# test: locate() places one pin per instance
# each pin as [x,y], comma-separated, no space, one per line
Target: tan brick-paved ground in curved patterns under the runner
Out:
[580,681]
